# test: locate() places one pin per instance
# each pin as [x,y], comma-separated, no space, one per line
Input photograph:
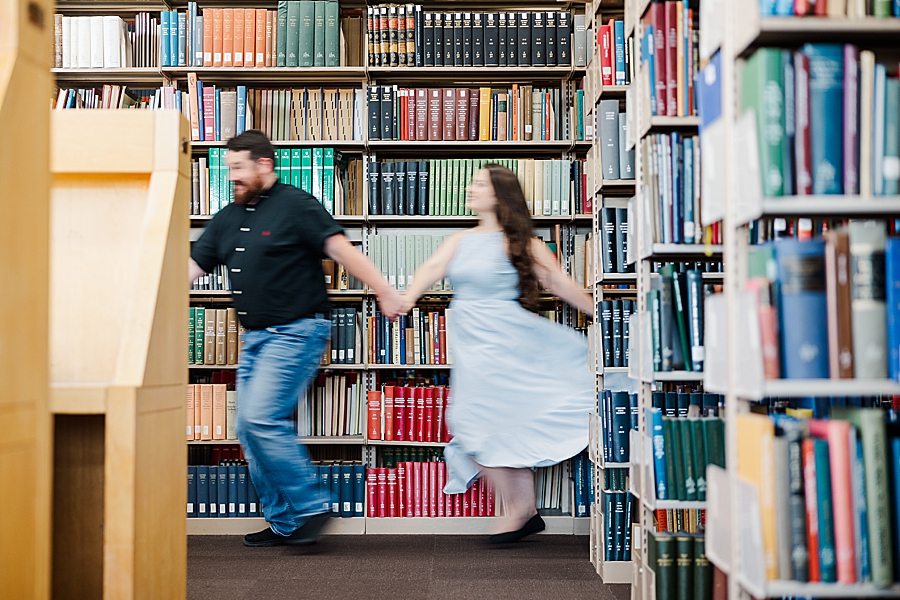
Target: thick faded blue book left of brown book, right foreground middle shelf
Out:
[801,296]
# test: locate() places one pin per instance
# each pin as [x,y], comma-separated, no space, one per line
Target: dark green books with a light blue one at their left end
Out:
[682,449]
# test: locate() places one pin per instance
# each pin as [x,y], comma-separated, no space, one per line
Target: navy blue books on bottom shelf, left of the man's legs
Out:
[221,492]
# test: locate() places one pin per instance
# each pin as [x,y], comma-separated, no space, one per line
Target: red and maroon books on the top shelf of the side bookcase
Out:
[670,52]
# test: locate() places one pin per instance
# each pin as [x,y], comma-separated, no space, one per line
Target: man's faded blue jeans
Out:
[276,366]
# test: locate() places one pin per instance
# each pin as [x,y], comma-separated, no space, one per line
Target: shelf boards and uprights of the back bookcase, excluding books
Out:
[361,227]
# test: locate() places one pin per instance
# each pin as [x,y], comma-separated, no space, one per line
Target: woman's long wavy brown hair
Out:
[512,213]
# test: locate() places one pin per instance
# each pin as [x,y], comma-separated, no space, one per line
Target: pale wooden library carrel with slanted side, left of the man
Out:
[118,304]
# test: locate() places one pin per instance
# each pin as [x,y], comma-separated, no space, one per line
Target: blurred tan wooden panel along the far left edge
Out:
[26,46]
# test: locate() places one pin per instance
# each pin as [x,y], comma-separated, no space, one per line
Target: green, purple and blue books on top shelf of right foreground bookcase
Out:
[834,110]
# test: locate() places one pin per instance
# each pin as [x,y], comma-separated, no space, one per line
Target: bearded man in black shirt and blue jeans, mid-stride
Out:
[272,240]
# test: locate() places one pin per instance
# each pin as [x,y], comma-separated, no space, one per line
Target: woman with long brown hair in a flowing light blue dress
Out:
[522,392]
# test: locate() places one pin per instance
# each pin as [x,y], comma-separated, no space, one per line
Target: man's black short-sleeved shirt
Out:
[273,252]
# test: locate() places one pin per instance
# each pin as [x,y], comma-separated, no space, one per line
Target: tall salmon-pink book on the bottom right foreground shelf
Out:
[838,434]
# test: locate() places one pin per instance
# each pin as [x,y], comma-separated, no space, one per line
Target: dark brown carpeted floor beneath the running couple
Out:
[345,567]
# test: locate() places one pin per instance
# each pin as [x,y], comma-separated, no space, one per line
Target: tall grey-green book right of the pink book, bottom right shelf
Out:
[870,425]
